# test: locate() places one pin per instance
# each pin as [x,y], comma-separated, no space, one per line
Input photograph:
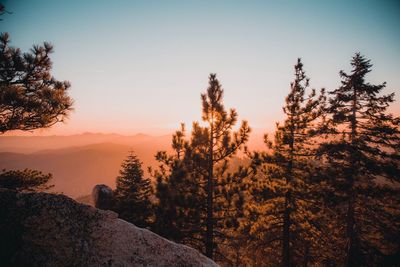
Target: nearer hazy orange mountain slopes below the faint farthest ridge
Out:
[77,169]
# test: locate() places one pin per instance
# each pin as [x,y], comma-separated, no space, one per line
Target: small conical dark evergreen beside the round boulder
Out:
[133,193]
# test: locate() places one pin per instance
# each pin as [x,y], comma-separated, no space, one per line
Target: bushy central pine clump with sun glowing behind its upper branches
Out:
[207,194]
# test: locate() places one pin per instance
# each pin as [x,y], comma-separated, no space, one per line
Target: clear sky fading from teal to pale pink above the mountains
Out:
[140,66]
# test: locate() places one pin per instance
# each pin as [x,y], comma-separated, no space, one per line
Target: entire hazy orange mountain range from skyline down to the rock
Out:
[78,162]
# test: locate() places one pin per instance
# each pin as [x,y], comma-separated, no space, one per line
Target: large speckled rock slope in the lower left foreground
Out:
[39,229]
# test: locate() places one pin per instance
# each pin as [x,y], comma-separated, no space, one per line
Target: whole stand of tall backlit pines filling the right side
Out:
[324,193]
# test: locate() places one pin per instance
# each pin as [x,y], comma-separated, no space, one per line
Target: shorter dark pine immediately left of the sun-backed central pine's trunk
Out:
[181,206]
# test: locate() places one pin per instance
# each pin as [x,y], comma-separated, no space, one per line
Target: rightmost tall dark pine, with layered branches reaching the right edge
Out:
[362,153]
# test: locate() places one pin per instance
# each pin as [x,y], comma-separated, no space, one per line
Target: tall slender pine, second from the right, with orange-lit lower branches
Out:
[283,194]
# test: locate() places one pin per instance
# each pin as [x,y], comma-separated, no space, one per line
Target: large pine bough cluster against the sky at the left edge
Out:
[30,97]
